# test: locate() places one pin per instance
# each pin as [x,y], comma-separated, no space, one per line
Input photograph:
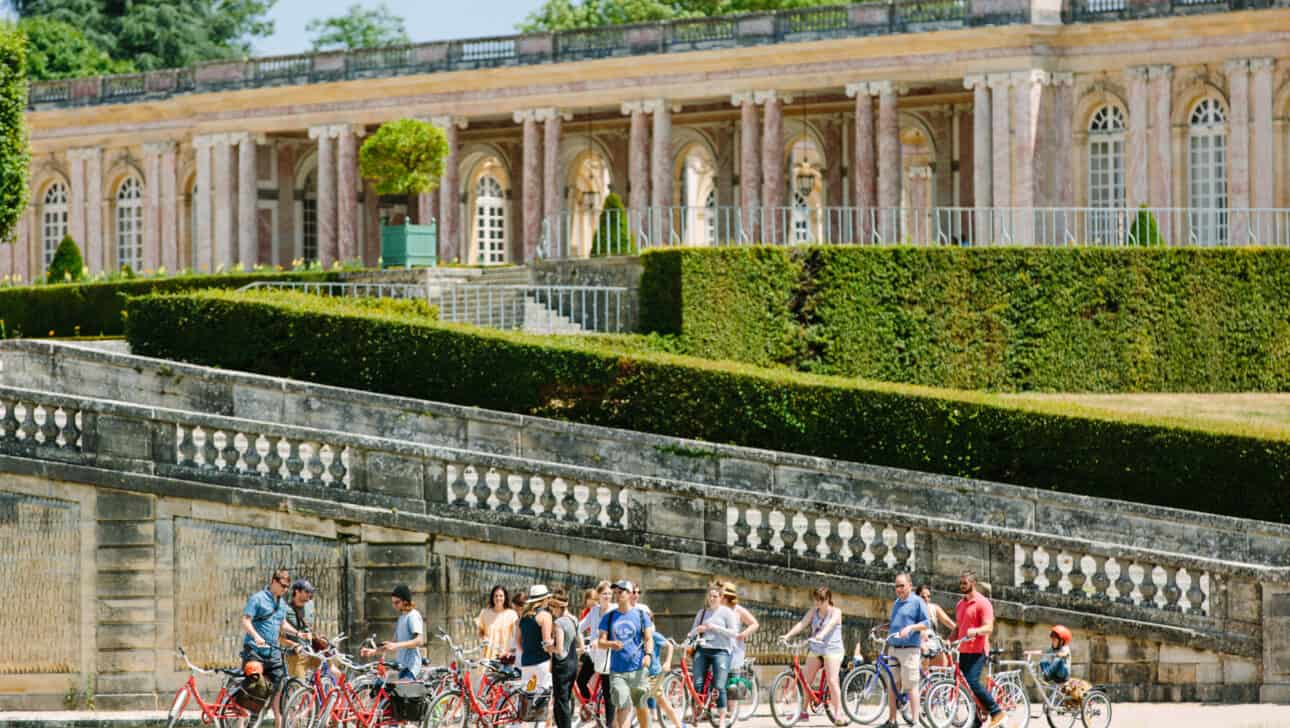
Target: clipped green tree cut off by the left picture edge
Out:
[15,154]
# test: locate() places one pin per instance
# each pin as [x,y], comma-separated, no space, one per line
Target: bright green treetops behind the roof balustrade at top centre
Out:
[570,15]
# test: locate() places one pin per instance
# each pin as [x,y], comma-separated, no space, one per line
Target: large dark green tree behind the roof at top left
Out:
[161,34]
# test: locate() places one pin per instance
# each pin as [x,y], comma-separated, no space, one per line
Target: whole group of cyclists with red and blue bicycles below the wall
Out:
[607,663]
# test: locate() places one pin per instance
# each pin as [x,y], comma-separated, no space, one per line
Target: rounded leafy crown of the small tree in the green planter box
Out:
[404,157]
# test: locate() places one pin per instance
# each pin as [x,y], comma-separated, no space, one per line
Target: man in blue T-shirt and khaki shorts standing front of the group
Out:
[628,632]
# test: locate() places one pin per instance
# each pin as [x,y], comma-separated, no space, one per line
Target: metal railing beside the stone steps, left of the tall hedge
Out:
[535,309]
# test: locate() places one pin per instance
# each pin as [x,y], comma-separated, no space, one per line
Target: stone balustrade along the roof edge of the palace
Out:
[785,26]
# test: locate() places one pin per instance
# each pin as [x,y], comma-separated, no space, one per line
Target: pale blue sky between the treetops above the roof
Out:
[426,20]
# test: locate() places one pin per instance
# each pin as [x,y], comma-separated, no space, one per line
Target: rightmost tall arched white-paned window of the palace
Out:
[1207,172]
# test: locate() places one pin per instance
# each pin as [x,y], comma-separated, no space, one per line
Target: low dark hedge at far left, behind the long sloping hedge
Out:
[95,309]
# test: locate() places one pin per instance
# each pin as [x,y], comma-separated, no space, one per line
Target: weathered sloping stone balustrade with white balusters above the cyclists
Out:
[1199,600]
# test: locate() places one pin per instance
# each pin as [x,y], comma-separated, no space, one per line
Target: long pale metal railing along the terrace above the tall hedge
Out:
[628,233]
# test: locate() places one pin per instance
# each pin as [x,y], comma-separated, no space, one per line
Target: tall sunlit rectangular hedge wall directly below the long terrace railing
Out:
[1013,319]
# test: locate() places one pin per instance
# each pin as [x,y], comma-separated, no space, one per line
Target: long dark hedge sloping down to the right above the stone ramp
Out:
[598,383]
